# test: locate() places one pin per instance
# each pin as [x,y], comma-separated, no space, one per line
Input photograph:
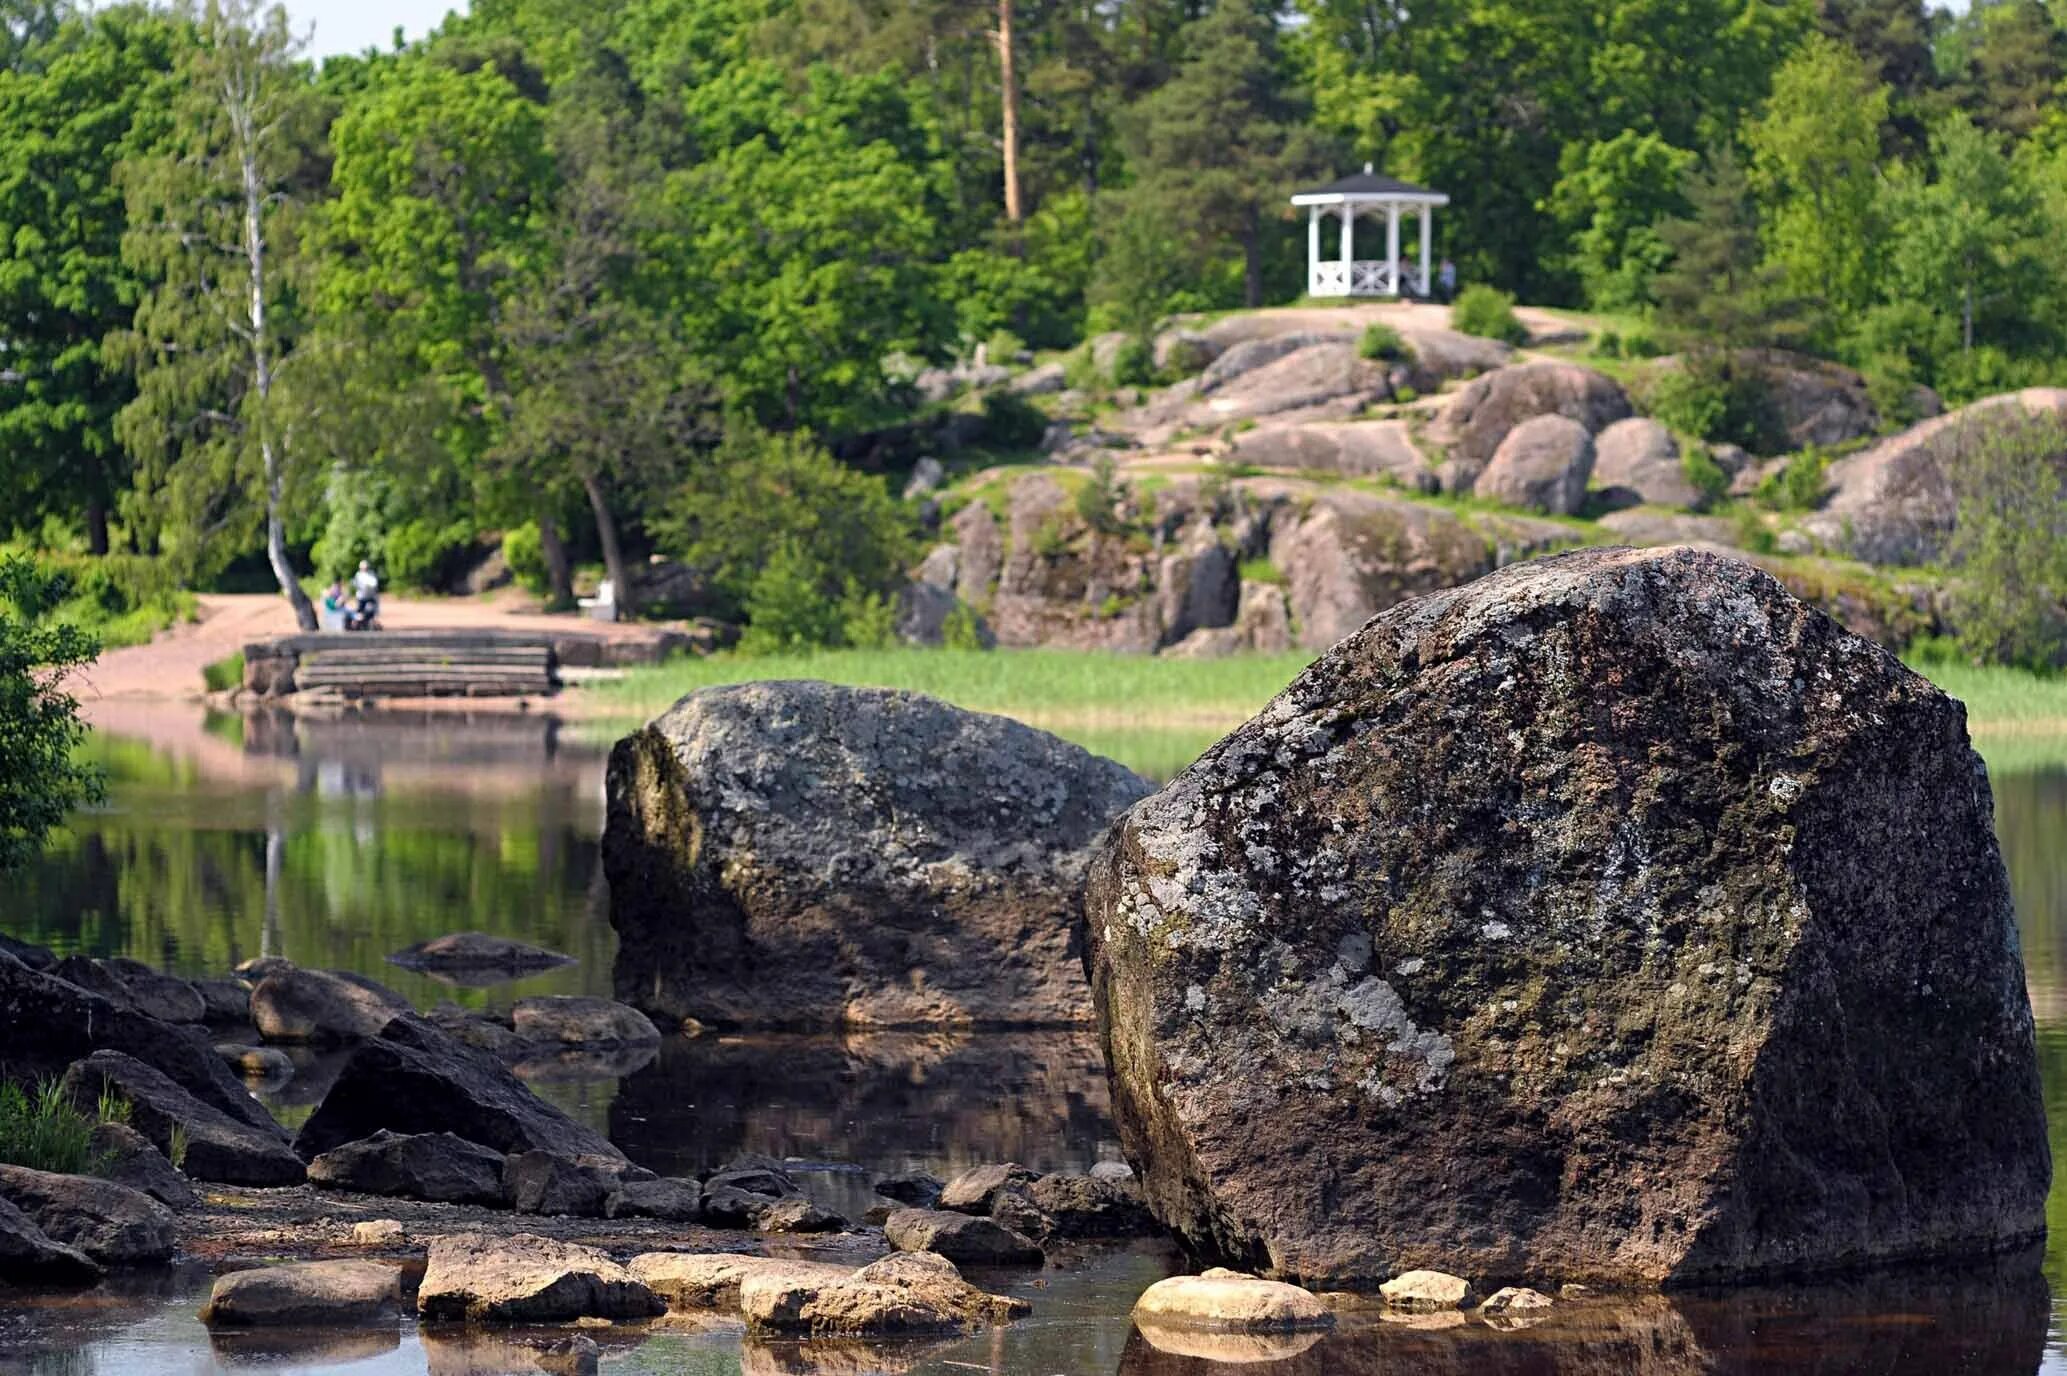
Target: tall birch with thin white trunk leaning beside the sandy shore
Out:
[212,222]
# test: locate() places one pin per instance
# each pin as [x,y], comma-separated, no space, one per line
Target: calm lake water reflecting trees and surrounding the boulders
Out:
[340,842]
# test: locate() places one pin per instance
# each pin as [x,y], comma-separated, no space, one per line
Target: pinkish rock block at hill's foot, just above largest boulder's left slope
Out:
[1357,553]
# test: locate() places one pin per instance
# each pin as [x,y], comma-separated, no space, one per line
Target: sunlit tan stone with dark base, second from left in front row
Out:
[530,1282]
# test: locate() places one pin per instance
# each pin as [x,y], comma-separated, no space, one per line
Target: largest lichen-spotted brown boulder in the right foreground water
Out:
[1611,918]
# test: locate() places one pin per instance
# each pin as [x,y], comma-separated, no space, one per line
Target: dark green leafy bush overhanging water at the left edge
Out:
[40,730]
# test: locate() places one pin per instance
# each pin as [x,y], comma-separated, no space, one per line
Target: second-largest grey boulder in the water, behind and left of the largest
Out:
[811,856]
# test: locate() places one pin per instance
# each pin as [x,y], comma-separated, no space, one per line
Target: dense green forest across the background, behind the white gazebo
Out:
[551,270]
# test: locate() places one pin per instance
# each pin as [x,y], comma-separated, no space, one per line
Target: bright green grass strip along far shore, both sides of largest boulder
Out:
[1156,716]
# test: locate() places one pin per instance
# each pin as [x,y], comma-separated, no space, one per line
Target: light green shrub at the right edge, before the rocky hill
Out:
[2012,544]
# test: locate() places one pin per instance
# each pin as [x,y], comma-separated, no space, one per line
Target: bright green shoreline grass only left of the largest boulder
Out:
[1150,714]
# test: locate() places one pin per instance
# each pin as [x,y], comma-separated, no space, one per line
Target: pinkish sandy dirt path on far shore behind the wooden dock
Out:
[171,666]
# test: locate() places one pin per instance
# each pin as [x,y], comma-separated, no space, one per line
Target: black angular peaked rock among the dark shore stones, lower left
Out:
[417,1080]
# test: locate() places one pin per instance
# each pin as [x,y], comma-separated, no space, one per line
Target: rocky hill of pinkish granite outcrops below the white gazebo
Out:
[1291,487]
